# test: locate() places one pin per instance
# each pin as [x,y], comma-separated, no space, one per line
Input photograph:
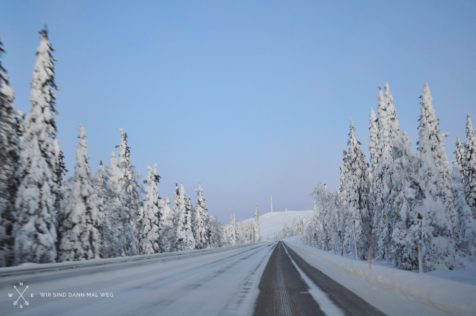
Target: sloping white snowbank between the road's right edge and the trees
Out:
[395,292]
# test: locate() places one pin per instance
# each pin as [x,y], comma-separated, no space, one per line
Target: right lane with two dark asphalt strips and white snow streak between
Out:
[290,286]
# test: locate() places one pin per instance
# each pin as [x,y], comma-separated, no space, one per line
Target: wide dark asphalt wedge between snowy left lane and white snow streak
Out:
[282,290]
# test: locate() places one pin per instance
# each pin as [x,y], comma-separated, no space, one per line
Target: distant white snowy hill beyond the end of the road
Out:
[272,223]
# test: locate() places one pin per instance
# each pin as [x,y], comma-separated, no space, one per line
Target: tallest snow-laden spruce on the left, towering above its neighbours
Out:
[34,229]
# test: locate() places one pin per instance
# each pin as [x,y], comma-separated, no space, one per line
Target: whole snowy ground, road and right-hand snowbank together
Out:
[273,278]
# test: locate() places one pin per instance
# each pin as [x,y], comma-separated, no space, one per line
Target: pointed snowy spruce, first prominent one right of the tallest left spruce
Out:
[80,238]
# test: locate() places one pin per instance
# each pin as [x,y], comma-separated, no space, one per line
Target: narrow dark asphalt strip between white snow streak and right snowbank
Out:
[346,300]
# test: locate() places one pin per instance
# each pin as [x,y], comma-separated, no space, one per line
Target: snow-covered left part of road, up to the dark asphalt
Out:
[221,282]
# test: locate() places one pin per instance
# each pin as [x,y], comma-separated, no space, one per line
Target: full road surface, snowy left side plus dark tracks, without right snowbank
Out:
[259,279]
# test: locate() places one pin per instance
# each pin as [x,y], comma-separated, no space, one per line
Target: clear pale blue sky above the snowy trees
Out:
[248,98]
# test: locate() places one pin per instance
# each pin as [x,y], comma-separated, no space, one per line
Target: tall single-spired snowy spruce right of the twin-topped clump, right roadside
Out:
[439,214]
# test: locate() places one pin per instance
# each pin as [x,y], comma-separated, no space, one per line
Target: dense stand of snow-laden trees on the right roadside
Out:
[408,208]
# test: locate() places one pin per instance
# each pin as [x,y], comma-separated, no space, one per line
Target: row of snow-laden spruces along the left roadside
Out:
[44,218]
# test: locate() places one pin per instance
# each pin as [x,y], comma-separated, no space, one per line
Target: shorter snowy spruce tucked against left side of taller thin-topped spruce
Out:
[117,223]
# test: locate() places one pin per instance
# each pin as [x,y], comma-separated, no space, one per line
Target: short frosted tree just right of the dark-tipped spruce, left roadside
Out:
[167,233]
